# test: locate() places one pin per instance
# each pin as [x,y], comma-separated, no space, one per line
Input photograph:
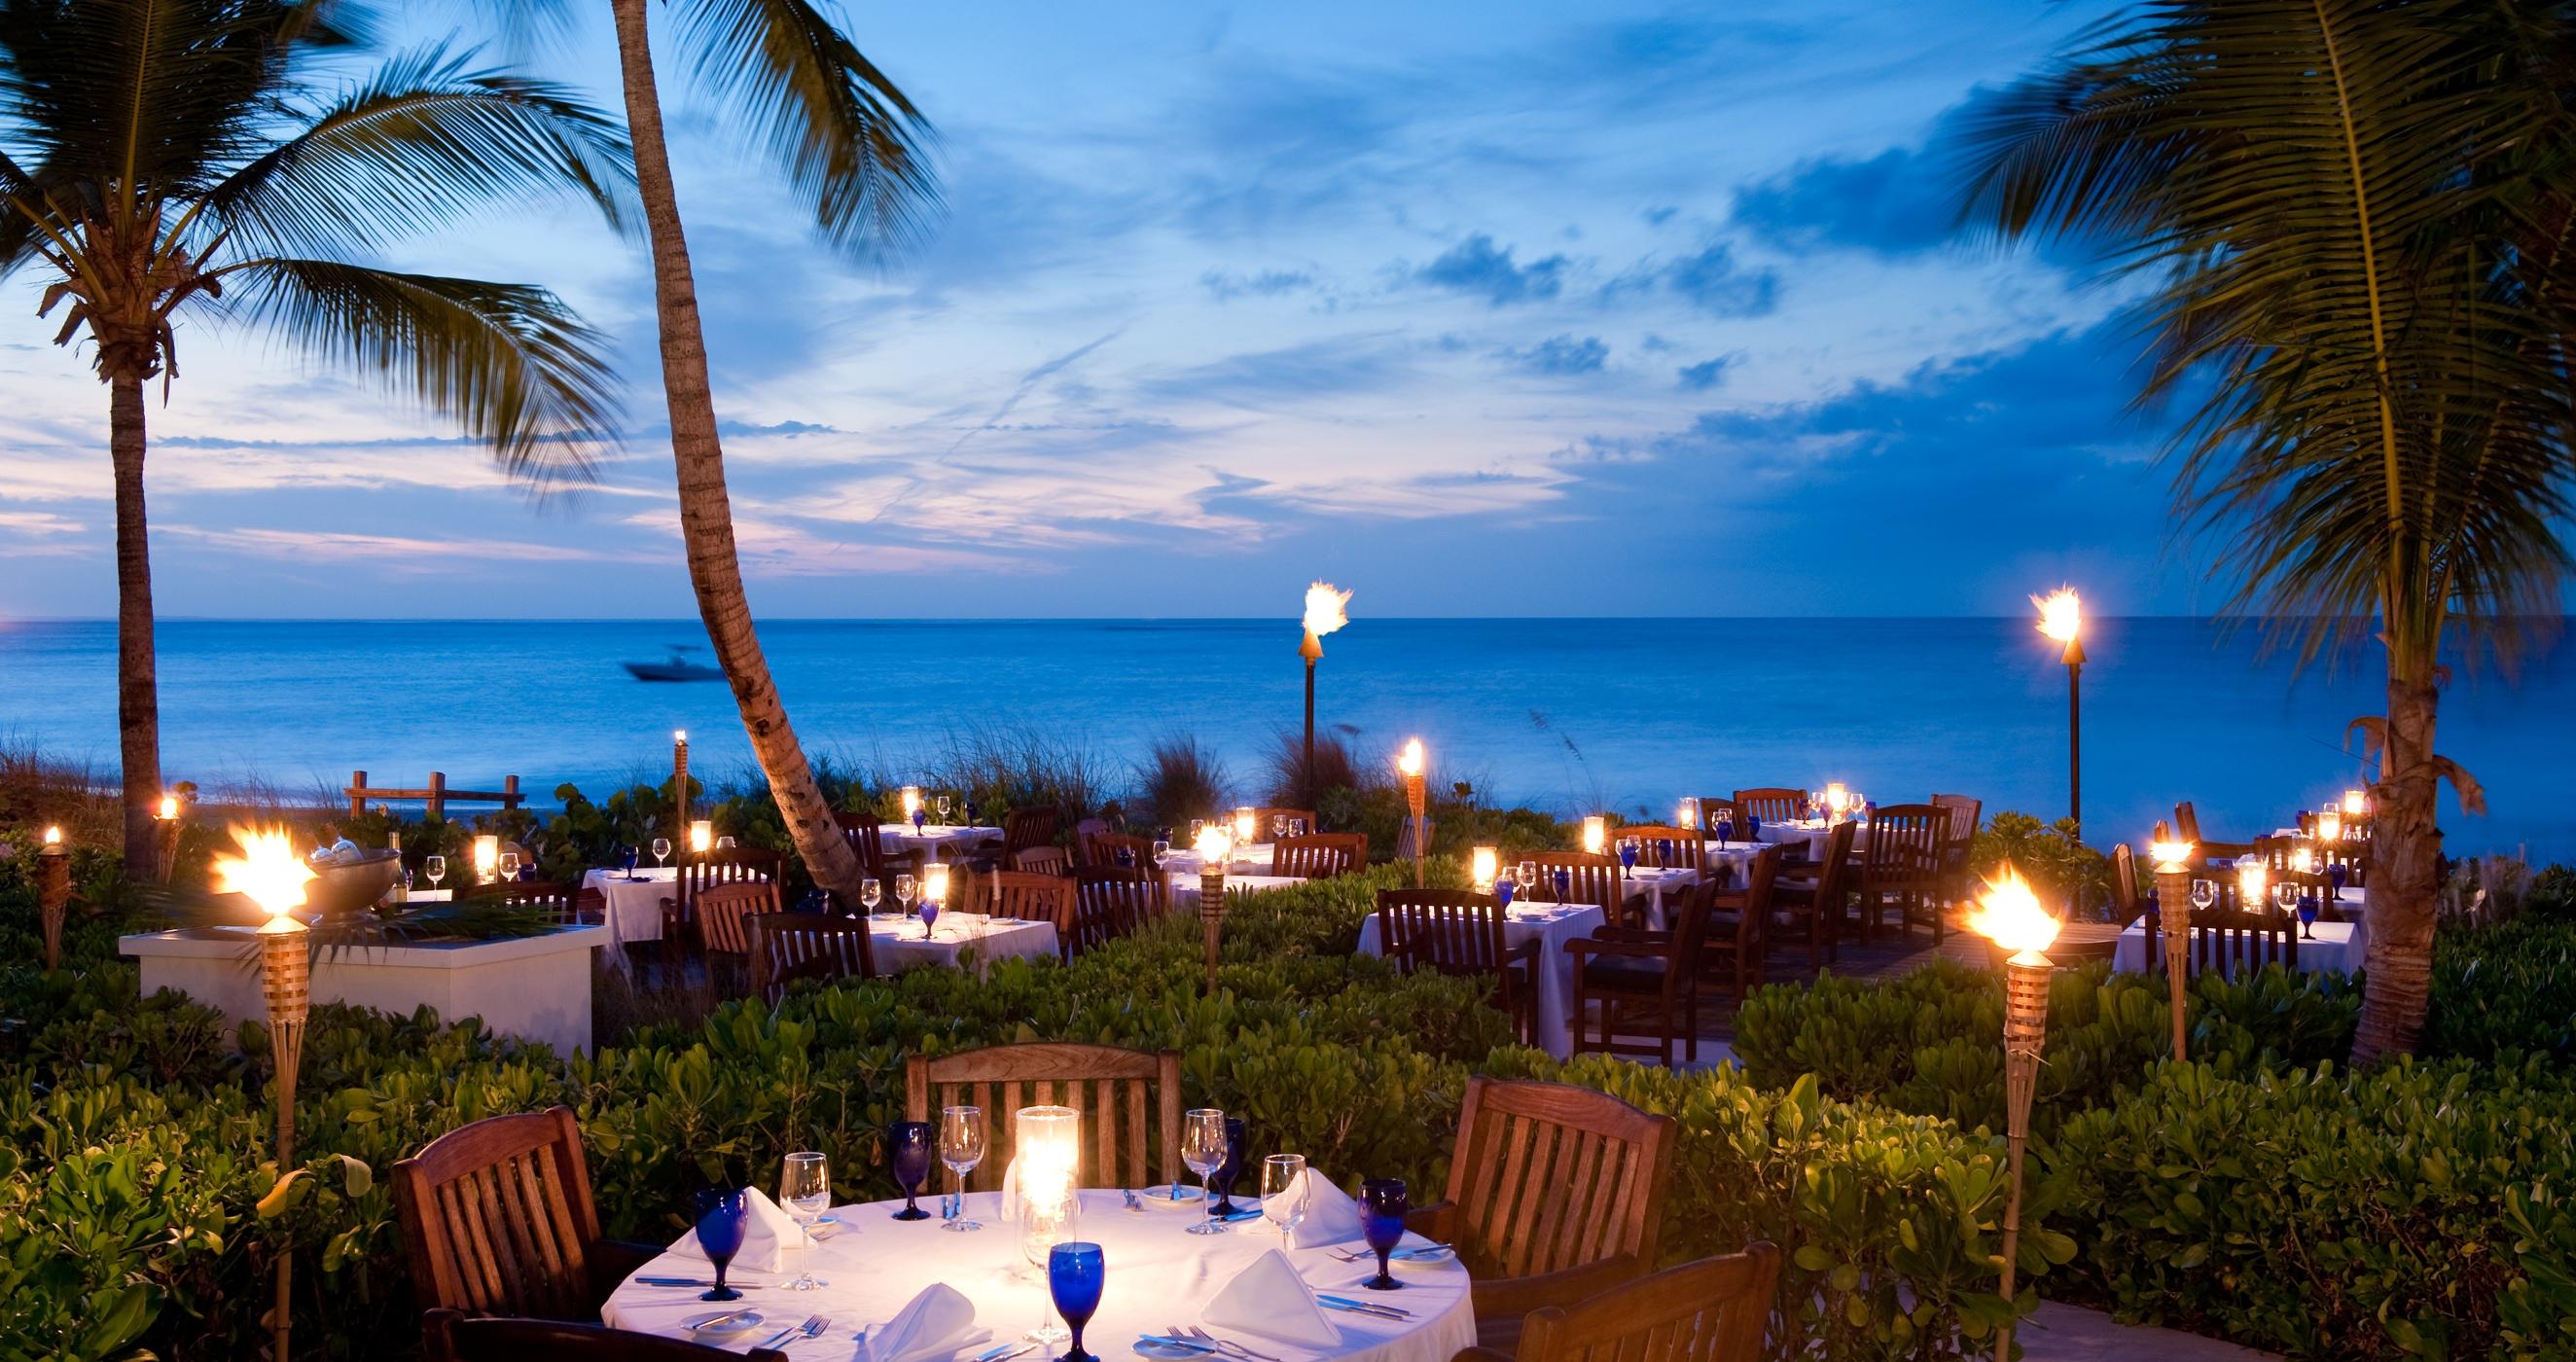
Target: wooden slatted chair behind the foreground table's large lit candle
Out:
[1112,1088]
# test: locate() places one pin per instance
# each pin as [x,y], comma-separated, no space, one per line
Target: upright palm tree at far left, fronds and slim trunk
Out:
[164,161]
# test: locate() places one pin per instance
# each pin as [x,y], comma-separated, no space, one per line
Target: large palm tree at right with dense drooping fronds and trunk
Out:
[2351,223]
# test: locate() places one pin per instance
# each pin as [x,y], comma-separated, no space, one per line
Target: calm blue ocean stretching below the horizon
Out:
[1557,714]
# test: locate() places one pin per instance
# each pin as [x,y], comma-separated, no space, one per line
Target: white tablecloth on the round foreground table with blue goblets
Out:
[1158,1278]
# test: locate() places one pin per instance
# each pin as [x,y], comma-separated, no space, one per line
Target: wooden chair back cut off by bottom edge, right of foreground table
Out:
[1699,1312]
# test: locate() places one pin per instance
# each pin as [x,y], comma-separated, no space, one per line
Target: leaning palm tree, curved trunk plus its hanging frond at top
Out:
[854,145]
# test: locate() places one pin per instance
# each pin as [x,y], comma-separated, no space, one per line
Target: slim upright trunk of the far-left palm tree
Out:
[138,684]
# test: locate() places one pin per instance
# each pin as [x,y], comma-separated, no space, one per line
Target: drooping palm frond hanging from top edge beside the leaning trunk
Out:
[846,135]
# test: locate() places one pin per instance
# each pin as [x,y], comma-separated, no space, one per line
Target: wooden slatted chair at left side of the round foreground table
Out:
[498,1222]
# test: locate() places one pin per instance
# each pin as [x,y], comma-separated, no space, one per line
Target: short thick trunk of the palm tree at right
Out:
[2405,877]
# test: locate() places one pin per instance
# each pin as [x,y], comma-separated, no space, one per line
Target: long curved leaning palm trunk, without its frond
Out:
[707,516]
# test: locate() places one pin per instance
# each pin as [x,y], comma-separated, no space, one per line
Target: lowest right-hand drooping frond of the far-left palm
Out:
[509,362]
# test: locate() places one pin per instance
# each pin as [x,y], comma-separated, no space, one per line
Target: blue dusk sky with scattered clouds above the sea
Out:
[1472,308]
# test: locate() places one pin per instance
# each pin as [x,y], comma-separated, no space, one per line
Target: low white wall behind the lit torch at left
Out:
[529,987]
